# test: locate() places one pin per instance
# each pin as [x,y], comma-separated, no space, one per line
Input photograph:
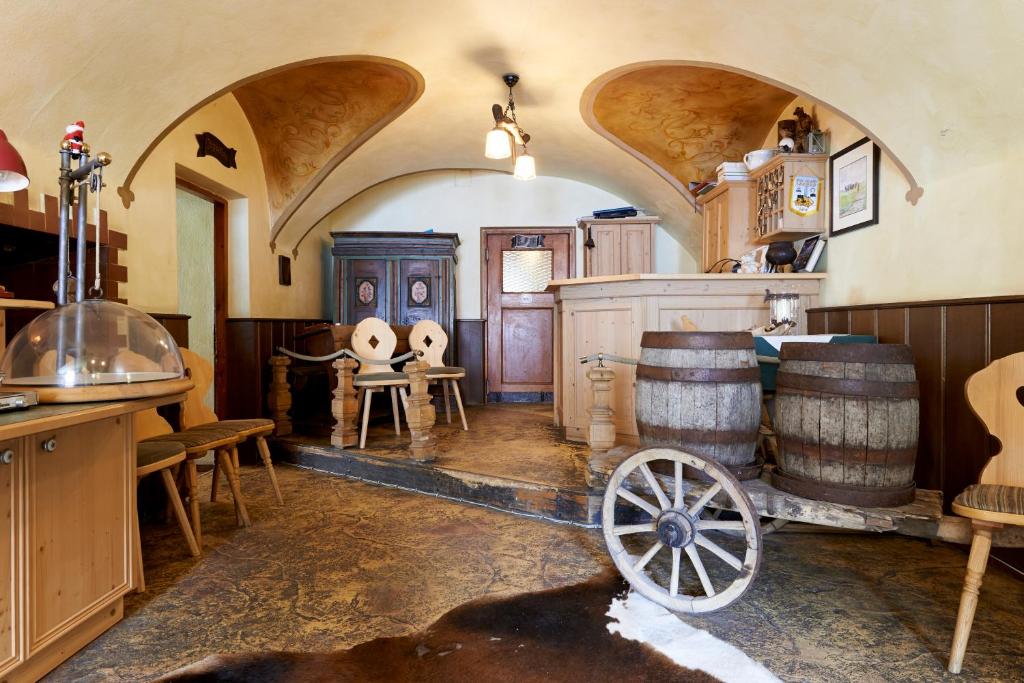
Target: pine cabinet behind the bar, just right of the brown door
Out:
[622,246]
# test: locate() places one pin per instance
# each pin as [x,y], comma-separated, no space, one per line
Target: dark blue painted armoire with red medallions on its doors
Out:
[401,278]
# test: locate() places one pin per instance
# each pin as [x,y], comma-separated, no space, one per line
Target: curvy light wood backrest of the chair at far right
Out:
[997,397]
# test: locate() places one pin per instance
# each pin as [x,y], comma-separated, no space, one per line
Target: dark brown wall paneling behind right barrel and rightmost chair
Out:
[951,341]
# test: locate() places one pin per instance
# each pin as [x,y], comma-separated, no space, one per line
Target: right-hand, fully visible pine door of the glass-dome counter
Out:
[78,498]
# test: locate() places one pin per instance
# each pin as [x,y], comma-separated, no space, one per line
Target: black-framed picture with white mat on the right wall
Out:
[855,177]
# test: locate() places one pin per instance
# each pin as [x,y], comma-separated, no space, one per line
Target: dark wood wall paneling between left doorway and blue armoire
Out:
[251,343]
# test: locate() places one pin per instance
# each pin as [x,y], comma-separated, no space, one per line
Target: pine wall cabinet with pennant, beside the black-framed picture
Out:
[775,220]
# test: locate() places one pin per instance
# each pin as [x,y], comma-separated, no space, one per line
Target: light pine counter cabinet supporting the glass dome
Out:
[67,498]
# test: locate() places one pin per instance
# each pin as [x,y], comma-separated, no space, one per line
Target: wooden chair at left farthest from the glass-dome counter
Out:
[197,416]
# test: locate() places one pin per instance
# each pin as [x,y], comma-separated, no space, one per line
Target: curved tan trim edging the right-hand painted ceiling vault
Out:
[592,92]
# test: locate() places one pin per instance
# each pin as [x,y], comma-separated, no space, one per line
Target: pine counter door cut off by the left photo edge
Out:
[10,516]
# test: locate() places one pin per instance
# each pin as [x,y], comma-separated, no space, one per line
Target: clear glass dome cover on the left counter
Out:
[102,344]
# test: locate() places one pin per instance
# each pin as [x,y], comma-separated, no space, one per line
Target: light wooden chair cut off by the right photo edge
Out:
[996,396]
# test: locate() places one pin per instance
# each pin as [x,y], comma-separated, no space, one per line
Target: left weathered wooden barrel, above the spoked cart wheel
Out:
[701,393]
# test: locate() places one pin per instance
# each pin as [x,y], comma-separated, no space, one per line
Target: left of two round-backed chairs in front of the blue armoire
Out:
[374,339]
